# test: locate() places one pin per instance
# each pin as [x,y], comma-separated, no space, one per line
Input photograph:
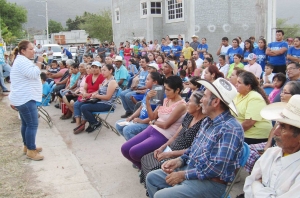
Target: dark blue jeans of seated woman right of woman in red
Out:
[88,109]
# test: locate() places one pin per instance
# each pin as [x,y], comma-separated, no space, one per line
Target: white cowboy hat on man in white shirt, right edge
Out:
[288,113]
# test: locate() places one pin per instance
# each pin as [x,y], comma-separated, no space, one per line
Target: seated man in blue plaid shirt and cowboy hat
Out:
[209,164]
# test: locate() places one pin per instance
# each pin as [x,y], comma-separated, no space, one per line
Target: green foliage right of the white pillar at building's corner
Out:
[290,30]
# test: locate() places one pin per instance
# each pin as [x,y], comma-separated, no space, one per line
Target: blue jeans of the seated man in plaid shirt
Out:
[158,188]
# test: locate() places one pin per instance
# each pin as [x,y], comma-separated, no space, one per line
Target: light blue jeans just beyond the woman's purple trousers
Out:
[130,130]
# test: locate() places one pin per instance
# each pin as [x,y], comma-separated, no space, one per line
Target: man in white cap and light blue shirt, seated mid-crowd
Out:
[121,73]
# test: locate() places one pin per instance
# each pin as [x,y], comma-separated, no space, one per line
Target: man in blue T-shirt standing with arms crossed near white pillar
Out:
[277,52]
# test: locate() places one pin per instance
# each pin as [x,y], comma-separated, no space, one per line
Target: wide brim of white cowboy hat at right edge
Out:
[274,112]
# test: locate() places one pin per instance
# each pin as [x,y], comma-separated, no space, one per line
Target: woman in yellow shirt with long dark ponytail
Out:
[249,102]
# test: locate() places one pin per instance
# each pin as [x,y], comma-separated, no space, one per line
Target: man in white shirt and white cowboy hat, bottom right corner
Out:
[276,173]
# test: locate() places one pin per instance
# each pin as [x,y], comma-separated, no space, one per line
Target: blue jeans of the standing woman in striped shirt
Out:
[29,117]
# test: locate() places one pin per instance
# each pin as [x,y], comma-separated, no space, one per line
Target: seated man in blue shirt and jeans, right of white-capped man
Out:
[126,94]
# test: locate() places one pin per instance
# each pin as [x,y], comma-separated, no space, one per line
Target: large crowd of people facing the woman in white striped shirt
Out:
[190,144]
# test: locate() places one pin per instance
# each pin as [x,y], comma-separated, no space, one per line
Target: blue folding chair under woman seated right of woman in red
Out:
[103,121]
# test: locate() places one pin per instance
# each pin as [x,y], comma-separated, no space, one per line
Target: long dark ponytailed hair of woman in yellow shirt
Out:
[249,78]
